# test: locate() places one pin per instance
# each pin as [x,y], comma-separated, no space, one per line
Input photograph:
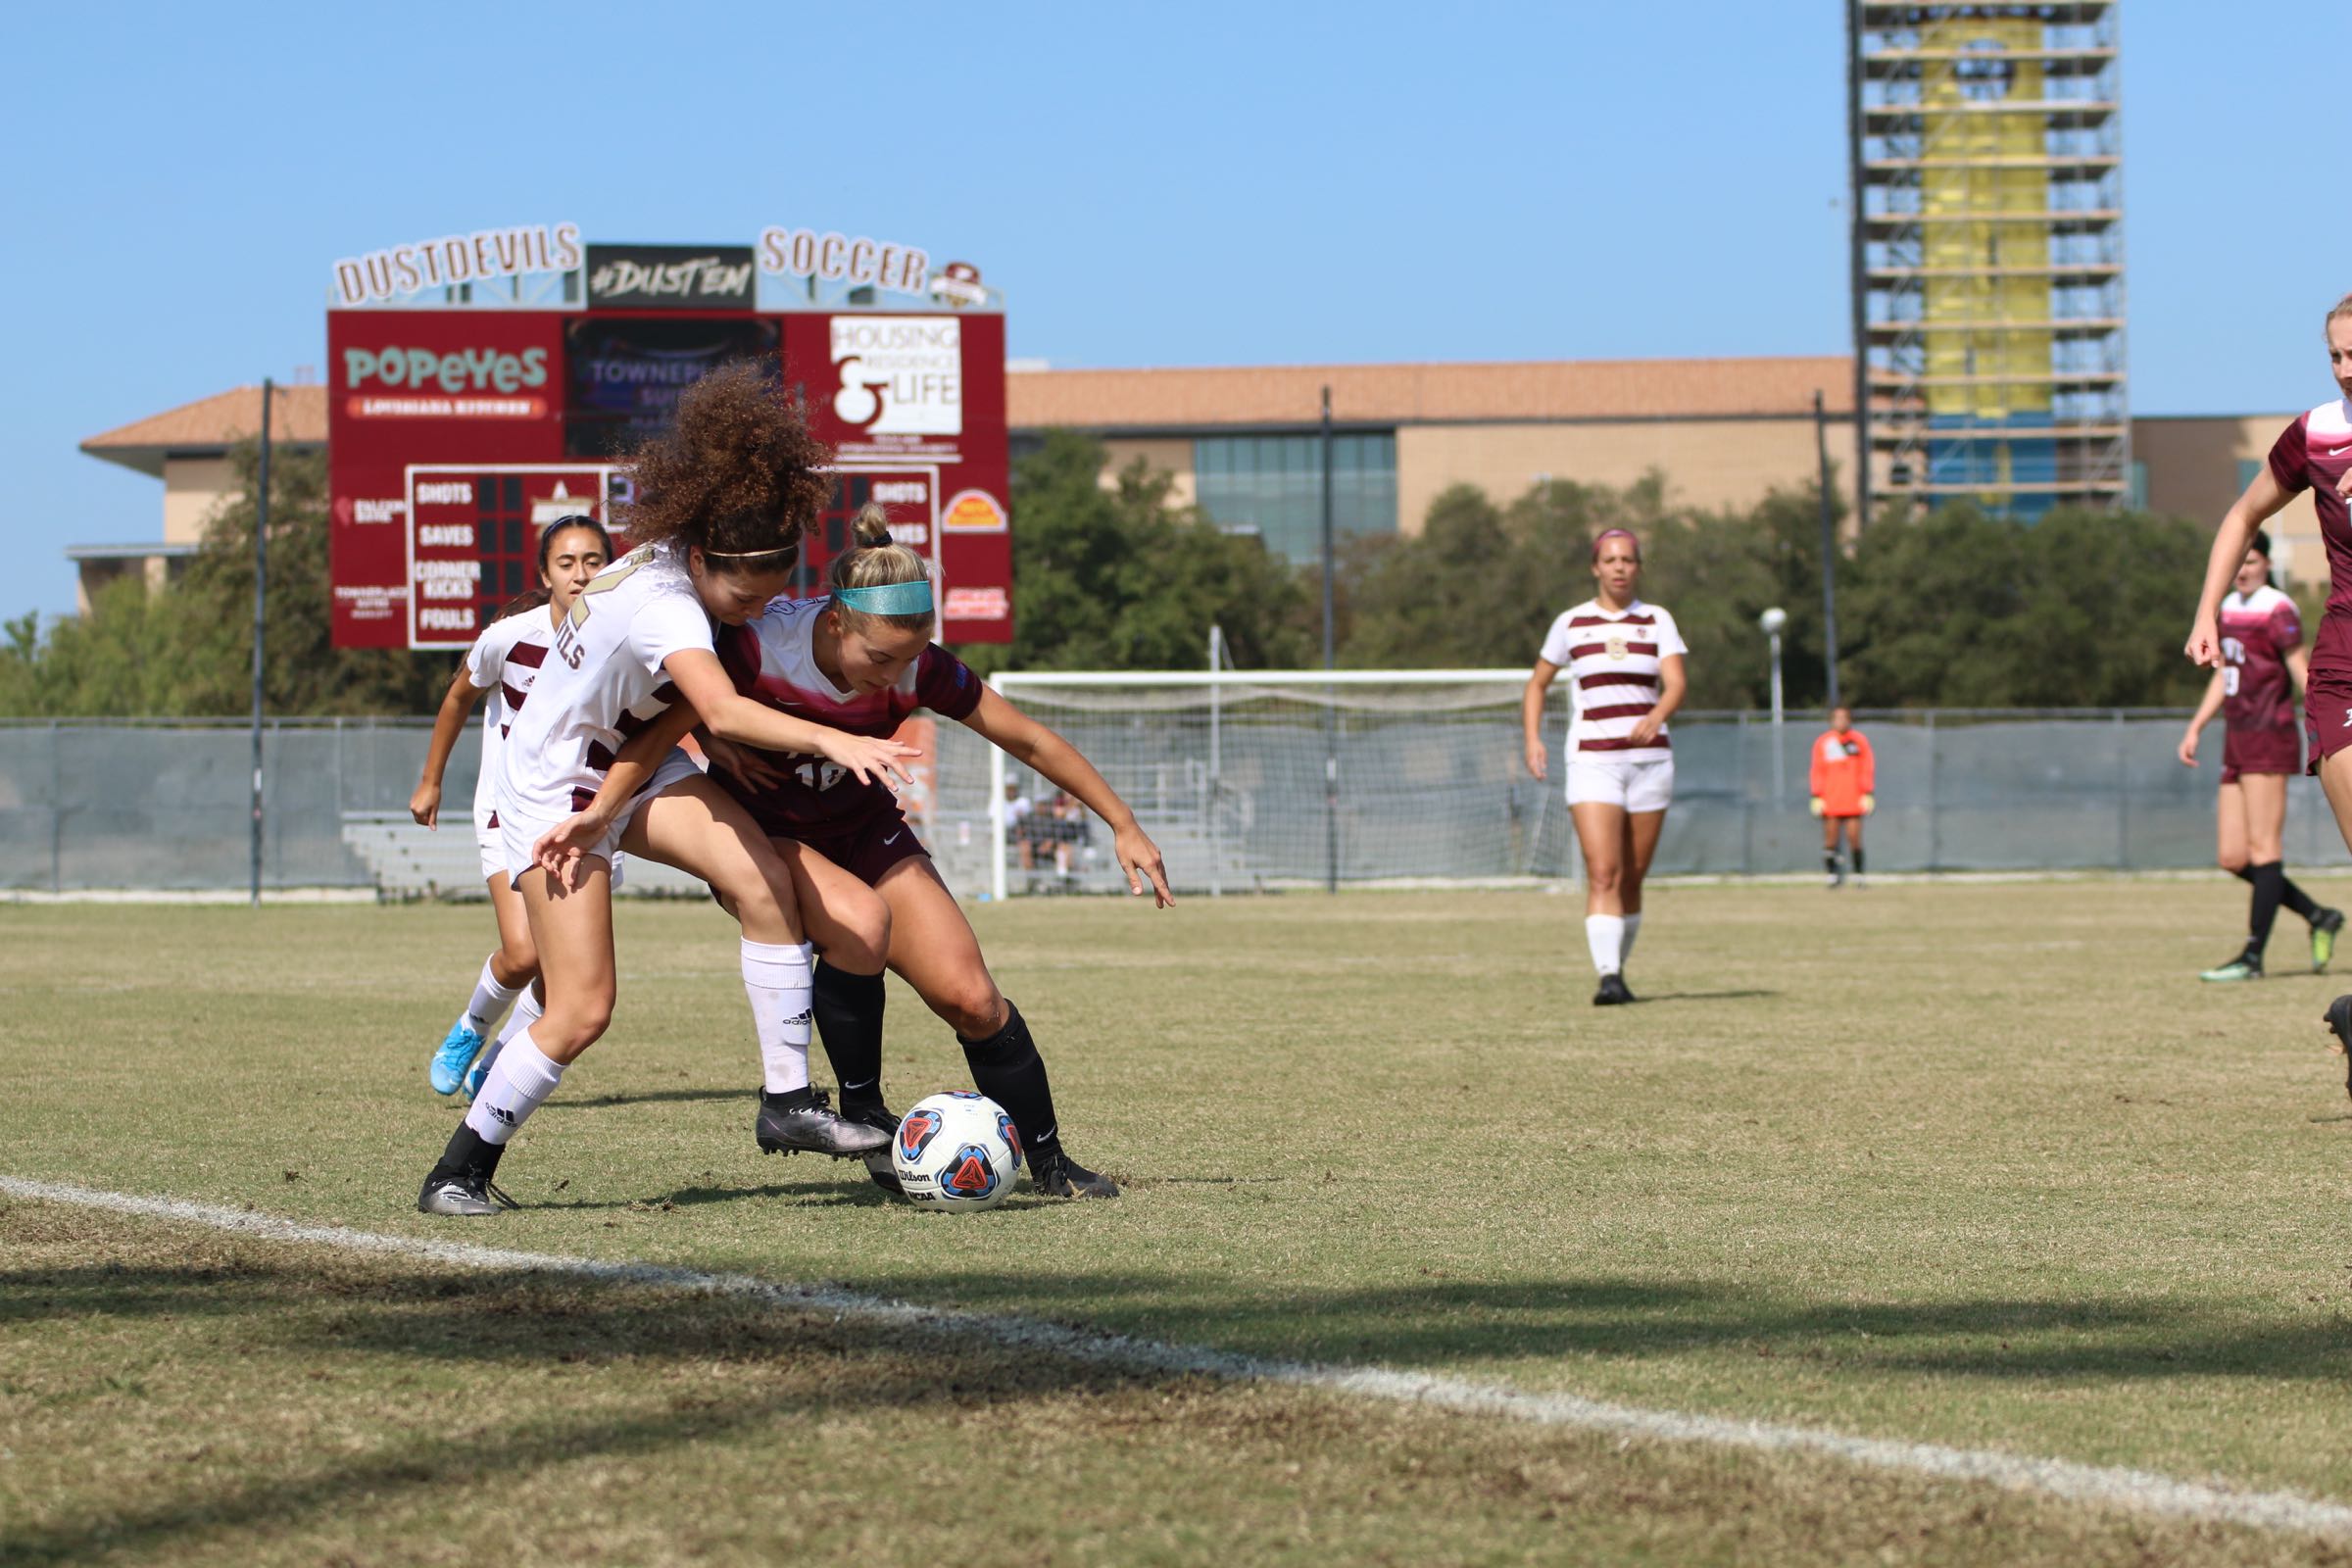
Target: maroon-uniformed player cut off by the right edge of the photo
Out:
[2311,455]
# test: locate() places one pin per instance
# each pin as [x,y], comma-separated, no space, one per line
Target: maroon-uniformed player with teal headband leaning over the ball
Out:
[862,659]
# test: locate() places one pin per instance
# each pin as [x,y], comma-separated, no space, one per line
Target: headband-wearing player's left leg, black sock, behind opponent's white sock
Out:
[848,923]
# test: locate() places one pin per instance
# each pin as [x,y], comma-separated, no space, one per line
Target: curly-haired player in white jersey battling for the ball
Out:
[723,502]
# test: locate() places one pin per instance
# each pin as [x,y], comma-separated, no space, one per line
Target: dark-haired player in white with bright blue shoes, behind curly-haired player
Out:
[502,666]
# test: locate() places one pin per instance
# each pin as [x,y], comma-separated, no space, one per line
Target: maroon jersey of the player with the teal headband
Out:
[773,662]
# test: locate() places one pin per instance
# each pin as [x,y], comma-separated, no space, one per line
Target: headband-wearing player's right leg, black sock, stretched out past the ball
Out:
[937,953]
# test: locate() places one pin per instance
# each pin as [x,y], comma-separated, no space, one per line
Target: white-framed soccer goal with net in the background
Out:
[1264,779]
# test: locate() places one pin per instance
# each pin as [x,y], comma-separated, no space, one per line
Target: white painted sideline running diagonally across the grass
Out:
[2127,1489]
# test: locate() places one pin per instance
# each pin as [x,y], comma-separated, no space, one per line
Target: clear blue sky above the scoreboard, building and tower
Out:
[1205,185]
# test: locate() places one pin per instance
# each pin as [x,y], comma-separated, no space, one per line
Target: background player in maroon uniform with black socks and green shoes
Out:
[2261,648]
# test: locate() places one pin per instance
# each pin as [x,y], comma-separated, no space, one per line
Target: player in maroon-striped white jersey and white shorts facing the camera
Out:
[1624,664]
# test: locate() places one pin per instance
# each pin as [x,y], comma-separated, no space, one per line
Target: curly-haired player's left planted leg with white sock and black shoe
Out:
[573,930]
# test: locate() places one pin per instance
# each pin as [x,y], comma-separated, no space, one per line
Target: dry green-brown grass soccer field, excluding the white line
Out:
[1972,1165]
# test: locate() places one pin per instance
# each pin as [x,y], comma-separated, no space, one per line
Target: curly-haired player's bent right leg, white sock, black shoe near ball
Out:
[702,831]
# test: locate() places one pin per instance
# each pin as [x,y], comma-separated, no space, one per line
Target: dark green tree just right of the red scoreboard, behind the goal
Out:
[1118,577]
